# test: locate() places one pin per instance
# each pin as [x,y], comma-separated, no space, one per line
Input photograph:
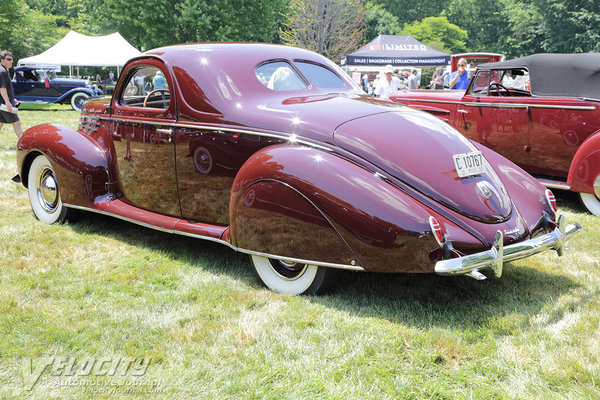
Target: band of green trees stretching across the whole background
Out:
[513,27]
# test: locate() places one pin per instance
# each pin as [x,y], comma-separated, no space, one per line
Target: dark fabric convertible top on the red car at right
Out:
[565,75]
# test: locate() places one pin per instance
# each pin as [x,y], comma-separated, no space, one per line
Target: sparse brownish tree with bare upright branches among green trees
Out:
[332,28]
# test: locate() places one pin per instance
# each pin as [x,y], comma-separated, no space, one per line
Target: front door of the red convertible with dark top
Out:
[496,121]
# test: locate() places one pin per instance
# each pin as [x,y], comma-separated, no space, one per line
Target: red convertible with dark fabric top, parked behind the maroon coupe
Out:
[541,112]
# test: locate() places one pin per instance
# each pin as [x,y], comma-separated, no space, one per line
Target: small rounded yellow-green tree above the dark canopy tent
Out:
[438,33]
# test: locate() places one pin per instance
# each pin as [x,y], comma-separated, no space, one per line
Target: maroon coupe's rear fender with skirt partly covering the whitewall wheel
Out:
[387,230]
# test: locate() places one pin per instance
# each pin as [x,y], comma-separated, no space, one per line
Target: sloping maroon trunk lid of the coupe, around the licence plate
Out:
[417,148]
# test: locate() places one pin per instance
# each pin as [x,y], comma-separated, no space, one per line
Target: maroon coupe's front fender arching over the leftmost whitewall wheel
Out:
[79,163]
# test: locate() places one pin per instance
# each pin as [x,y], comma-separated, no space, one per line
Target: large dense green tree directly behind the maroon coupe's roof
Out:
[154,23]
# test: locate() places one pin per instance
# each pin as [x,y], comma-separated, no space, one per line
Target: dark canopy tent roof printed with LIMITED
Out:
[402,50]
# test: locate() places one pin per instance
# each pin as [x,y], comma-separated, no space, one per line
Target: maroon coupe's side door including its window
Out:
[142,127]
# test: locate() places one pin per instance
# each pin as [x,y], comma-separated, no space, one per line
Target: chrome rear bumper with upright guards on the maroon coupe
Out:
[498,254]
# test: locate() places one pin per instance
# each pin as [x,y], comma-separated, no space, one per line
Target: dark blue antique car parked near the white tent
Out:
[40,84]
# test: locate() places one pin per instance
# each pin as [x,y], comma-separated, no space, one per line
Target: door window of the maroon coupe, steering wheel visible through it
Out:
[147,87]
